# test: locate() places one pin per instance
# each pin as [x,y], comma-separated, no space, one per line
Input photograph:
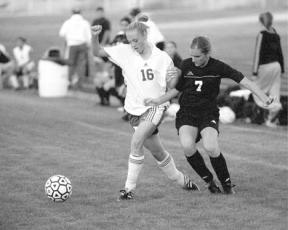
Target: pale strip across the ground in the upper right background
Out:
[237,20]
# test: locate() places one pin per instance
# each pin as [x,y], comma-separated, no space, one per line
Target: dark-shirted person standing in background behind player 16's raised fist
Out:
[104,36]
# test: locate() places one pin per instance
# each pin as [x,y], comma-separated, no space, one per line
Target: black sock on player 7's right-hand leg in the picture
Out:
[221,170]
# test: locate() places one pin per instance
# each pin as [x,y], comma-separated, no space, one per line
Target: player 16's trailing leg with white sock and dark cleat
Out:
[166,163]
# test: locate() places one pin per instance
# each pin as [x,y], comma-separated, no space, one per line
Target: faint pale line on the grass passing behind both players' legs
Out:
[173,144]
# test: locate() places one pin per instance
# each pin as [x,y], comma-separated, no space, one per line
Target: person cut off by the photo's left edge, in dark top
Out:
[7,67]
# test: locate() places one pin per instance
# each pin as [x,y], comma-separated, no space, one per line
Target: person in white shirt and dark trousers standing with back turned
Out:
[77,34]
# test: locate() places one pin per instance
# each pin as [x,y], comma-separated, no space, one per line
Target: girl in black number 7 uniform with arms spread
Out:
[199,115]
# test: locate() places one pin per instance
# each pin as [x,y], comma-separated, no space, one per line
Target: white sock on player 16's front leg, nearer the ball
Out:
[135,164]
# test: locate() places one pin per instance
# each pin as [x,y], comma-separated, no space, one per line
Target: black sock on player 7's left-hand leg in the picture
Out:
[197,163]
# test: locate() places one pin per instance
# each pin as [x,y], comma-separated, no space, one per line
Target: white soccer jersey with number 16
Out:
[144,78]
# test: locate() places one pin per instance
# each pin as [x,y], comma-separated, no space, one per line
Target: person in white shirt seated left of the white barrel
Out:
[24,63]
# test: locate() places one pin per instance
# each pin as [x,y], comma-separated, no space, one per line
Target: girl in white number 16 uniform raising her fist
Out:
[148,72]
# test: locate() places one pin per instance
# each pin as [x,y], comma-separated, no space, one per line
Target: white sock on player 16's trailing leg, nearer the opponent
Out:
[169,168]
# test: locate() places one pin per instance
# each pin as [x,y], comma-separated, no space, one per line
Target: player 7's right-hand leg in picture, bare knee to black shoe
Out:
[211,146]
